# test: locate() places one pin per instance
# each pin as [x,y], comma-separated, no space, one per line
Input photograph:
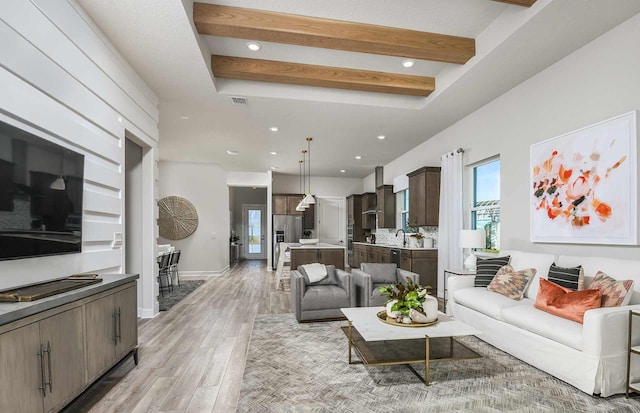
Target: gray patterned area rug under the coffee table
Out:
[294,367]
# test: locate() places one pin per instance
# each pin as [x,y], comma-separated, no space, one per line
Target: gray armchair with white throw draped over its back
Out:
[322,299]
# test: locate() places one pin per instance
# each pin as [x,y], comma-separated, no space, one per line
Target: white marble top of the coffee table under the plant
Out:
[365,320]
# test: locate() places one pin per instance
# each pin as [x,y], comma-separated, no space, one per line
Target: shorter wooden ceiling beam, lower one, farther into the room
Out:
[320,76]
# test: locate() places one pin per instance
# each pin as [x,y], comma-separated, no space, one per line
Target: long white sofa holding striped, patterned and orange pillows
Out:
[590,356]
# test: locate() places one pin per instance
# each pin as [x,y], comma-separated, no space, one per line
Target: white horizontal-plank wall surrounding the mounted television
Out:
[62,80]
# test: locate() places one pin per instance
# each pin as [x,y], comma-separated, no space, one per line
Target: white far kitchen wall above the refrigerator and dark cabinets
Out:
[320,186]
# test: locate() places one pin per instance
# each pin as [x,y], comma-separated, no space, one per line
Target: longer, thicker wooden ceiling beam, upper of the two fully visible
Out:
[236,22]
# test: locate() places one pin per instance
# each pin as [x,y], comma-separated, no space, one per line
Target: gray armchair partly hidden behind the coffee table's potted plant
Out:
[370,276]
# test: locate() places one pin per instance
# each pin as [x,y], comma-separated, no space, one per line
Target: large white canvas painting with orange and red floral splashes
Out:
[584,187]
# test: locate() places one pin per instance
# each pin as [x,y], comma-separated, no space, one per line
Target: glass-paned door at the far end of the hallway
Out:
[254,231]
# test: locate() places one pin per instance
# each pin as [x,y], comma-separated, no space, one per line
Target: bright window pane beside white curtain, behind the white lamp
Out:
[485,212]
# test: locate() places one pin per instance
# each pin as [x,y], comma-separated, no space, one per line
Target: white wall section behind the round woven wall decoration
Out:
[205,186]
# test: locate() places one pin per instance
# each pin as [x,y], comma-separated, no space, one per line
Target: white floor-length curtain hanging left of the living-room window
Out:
[449,254]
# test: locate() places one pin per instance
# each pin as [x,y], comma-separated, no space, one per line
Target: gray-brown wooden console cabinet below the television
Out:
[54,348]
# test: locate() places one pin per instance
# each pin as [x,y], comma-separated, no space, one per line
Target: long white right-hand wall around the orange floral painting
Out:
[594,83]
